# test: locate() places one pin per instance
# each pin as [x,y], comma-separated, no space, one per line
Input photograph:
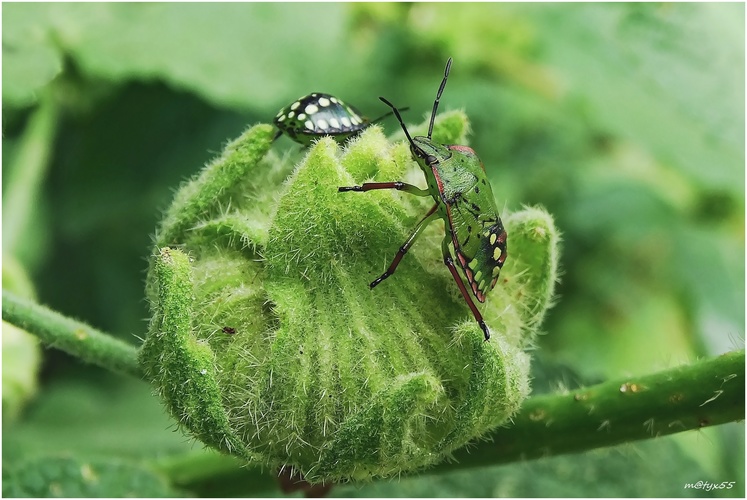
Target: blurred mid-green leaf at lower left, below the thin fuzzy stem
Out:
[101,415]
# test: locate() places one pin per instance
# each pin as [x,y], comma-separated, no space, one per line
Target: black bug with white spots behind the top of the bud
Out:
[317,115]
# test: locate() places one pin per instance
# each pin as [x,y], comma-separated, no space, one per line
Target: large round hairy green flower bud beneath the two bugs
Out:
[267,343]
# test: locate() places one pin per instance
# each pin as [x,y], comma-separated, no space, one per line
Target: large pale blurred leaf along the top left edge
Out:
[213,50]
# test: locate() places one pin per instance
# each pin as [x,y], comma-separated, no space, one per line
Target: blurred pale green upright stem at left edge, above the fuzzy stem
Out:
[26,173]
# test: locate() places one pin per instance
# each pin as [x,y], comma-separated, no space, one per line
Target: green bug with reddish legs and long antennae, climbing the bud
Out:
[463,197]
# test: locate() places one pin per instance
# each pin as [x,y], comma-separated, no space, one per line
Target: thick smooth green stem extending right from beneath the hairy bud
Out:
[705,393]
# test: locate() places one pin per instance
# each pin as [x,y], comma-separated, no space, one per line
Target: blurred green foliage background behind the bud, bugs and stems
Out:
[626,121]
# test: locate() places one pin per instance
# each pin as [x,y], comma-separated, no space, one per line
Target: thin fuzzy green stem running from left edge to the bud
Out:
[71,336]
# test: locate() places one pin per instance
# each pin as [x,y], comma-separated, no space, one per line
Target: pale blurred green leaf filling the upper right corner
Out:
[667,76]
